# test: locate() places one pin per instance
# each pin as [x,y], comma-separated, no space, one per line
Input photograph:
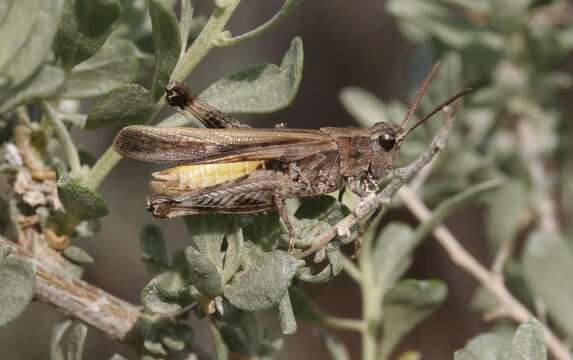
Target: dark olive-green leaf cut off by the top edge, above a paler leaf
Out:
[84,27]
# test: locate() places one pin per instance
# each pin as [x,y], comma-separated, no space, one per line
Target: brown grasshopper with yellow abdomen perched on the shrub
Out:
[229,167]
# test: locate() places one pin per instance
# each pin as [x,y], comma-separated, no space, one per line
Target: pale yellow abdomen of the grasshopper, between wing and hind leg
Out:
[184,178]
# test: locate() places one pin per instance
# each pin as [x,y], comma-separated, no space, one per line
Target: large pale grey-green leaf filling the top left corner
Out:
[26,44]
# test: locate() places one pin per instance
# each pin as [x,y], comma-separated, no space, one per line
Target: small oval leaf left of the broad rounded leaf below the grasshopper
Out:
[203,273]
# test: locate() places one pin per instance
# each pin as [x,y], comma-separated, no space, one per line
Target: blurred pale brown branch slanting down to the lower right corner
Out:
[509,305]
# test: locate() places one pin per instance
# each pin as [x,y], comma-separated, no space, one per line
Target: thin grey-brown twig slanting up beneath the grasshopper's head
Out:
[401,177]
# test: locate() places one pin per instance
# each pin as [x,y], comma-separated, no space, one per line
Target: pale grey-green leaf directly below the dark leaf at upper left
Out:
[115,64]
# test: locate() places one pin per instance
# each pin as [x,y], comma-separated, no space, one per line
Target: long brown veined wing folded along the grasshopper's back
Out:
[207,146]
